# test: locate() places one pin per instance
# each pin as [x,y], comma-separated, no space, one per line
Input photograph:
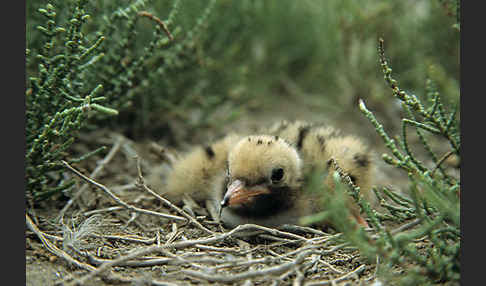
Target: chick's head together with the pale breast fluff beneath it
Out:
[263,182]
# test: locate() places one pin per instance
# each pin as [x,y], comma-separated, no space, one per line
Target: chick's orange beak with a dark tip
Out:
[237,193]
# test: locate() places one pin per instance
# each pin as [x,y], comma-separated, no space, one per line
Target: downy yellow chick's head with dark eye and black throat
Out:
[264,172]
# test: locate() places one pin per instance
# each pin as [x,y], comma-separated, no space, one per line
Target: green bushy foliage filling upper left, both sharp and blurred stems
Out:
[84,67]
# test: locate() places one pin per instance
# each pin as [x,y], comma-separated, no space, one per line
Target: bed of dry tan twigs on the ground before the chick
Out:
[116,229]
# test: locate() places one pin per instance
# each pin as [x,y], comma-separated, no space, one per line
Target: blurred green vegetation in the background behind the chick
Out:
[257,60]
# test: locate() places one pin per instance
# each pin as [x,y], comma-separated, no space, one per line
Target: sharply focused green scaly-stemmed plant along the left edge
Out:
[57,99]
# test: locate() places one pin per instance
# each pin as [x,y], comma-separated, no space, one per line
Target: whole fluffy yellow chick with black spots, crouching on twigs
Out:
[260,178]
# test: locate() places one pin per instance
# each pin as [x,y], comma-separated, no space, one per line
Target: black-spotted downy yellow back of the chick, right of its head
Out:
[317,144]
